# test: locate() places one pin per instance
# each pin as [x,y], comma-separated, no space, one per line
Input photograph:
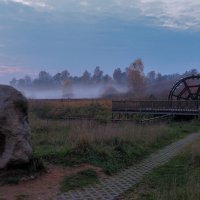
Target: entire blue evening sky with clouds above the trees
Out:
[55,35]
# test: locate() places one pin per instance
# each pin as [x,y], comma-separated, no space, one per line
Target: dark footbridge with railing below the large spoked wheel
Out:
[175,107]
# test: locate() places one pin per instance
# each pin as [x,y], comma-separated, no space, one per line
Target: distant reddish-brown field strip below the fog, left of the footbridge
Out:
[67,108]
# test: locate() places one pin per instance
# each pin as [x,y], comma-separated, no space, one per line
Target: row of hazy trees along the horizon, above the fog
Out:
[133,77]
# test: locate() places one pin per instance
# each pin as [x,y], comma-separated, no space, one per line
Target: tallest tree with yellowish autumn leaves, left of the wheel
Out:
[136,79]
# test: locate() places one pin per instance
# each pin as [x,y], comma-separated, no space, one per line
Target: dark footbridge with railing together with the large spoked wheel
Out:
[184,99]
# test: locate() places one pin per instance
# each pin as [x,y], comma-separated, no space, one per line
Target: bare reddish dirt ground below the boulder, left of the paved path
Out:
[44,187]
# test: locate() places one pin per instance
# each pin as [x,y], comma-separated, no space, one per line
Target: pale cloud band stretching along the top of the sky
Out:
[176,14]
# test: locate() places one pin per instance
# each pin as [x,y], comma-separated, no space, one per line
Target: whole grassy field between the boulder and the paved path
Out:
[111,146]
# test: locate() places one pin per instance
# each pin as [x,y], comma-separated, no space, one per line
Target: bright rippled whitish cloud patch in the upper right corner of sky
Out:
[179,14]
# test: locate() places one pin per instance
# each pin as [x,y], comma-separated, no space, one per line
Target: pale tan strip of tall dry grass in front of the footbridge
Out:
[98,133]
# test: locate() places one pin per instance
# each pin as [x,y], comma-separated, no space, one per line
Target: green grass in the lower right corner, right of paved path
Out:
[179,179]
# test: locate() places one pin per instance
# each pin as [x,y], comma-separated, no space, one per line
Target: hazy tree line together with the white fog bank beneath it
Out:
[130,83]
